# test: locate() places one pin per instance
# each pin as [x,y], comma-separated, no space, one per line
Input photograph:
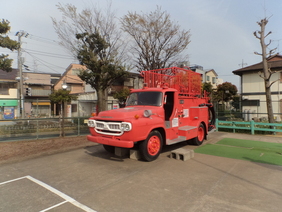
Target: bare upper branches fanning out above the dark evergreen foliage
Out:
[90,20]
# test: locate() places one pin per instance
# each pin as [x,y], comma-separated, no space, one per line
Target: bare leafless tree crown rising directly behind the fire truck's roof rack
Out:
[158,42]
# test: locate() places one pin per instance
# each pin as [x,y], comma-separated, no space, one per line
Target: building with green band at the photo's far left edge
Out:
[9,95]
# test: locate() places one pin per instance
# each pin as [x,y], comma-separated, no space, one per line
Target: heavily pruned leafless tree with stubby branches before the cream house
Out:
[267,73]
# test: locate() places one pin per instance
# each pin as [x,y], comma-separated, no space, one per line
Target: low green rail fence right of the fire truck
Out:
[250,126]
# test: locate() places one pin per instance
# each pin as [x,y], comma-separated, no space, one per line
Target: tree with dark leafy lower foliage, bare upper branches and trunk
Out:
[95,40]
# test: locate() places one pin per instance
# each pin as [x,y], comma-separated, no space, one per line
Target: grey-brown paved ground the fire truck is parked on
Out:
[89,179]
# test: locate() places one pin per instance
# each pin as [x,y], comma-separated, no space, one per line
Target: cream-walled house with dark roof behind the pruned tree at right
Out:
[253,89]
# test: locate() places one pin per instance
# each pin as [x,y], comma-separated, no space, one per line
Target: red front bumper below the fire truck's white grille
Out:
[110,141]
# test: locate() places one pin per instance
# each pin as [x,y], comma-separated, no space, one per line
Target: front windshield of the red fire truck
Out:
[145,98]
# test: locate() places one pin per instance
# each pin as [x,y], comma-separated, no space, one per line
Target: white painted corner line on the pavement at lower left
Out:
[55,191]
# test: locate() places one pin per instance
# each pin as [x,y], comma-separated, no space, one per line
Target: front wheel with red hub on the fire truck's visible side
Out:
[150,149]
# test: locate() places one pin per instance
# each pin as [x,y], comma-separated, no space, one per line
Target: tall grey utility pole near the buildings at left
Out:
[20,34]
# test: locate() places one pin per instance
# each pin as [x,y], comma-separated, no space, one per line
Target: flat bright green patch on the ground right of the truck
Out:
[255,151]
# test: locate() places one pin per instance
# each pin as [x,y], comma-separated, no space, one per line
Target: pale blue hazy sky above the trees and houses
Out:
[221,30]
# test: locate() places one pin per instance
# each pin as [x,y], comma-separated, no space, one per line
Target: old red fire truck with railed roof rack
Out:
[170,108]
